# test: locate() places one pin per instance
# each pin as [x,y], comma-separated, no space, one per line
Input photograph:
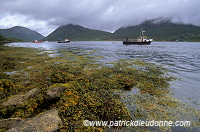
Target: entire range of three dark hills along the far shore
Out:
[158,29]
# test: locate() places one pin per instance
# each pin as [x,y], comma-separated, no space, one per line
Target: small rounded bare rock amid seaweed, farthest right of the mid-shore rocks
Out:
[55,92]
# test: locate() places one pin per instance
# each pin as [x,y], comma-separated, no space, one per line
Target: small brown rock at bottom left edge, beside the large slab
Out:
[7,122]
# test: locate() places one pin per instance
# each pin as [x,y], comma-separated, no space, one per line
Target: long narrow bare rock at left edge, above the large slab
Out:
[20,99]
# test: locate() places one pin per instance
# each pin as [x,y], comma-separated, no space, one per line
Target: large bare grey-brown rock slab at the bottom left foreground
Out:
[46,122]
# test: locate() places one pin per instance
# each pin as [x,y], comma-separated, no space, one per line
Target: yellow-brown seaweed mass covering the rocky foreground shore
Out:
[81,89]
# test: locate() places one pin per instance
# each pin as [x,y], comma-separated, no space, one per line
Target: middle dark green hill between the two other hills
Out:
[78,33]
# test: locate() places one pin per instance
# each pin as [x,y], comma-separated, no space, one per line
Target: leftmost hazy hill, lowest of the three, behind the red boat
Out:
[22,33]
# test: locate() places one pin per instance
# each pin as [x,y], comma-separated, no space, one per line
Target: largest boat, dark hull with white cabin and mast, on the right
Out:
[141,40]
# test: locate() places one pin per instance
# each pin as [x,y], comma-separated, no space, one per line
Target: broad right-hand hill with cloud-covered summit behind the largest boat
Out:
[163,30]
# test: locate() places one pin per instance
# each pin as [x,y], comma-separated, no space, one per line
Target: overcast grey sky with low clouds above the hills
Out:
[44,16]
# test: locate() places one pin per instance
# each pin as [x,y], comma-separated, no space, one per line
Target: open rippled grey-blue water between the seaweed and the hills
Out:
[181,58]
